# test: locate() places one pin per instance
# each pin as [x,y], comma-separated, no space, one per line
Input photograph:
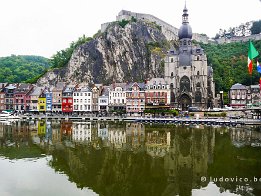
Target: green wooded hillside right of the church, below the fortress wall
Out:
[229,62]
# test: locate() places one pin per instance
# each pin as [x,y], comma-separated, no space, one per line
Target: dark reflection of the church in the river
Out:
[187,160]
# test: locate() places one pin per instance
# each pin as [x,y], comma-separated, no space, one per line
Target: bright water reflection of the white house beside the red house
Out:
[82,132]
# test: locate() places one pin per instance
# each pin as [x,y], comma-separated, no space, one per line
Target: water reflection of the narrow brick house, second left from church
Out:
[135,135]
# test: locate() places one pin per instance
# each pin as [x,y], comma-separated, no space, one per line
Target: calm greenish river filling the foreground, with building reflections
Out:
[128,159]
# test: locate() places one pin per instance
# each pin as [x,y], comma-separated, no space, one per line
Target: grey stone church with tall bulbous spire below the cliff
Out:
[187,73]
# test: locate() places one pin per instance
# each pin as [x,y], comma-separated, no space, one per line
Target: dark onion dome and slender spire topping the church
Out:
[185,31]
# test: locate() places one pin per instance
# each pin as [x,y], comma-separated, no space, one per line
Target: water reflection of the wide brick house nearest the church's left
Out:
[157,143]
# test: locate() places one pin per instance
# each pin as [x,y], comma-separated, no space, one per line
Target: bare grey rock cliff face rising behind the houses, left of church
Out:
[130,53]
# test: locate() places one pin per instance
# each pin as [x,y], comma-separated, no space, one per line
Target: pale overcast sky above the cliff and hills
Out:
[42,27]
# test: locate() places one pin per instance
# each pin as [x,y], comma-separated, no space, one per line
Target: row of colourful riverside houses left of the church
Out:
[131,98]
